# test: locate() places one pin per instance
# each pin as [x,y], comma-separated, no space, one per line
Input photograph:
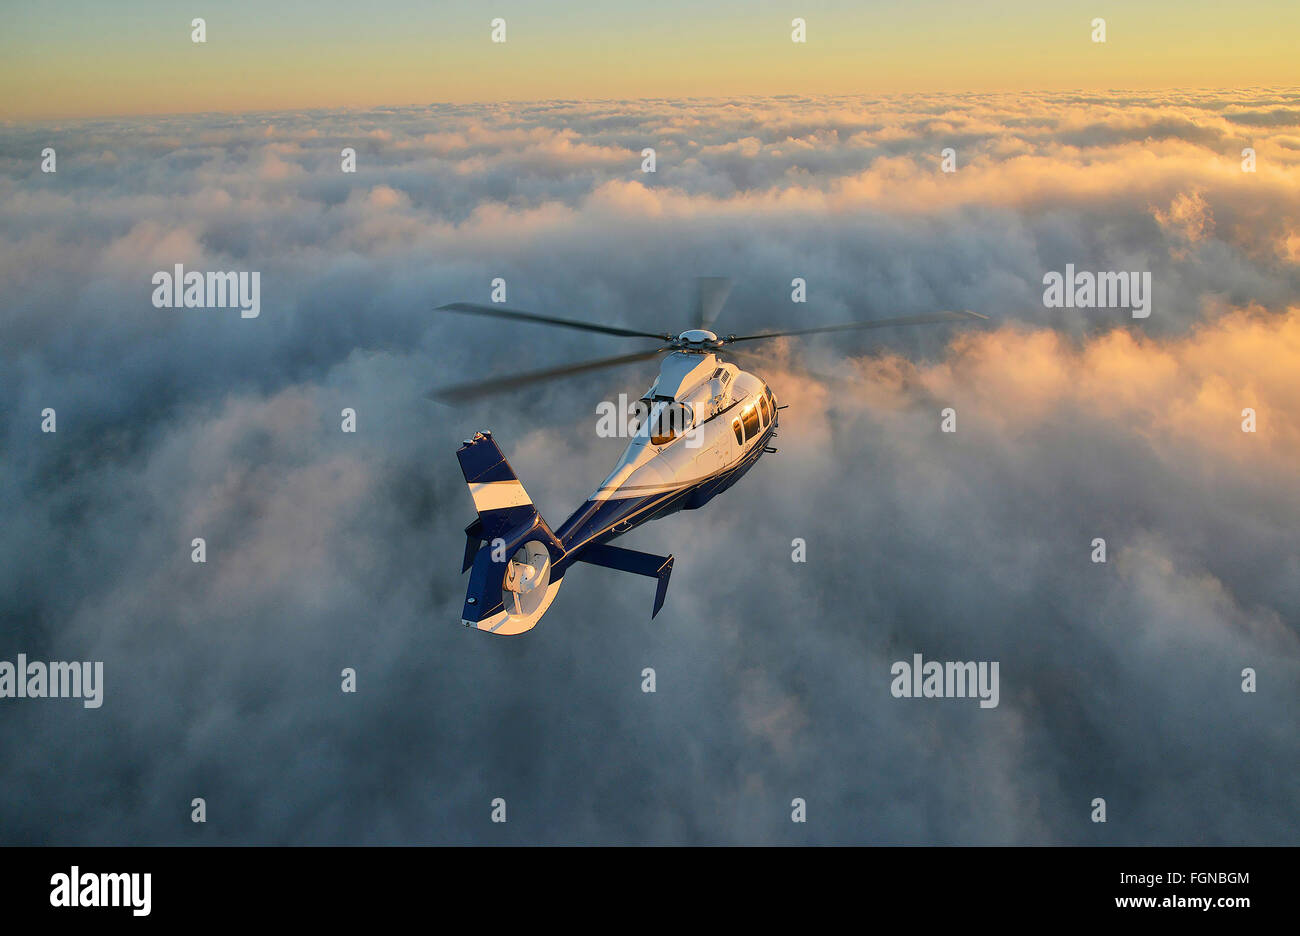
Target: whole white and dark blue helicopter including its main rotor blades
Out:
[700,428]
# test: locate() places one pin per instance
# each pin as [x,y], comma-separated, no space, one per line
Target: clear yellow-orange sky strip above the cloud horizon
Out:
[89,59]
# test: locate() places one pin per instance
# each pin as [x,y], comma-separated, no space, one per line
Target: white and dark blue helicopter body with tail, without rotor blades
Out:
[704,424]
